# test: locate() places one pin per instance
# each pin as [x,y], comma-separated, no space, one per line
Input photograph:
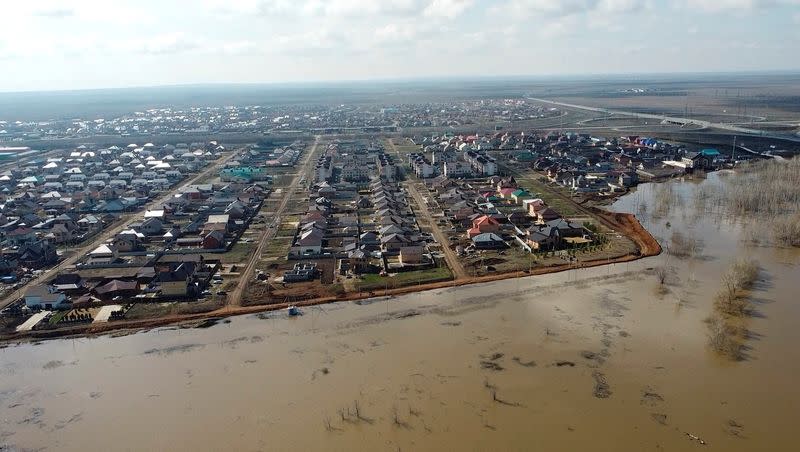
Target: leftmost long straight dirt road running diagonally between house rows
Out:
[108,233]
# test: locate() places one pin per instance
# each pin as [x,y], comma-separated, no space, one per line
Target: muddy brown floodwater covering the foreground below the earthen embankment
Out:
[590,359]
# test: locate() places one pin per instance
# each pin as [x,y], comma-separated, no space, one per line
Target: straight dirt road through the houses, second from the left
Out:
[246,277]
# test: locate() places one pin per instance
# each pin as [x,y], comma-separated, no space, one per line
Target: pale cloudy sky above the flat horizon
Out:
[86,44]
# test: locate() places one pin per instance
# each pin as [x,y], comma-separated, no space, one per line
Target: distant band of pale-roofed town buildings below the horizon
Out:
[164,122]
